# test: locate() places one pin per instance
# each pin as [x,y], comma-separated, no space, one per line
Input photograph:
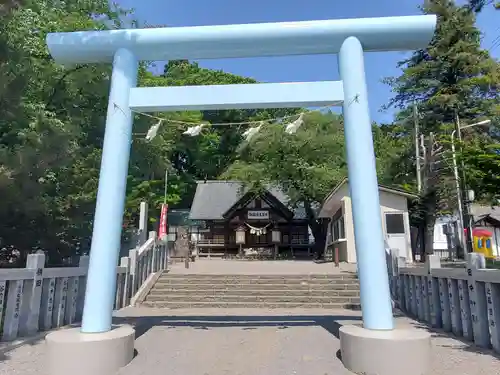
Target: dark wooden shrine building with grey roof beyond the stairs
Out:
[244,223]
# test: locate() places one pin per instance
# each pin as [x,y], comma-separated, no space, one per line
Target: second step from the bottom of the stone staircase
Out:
[250,298]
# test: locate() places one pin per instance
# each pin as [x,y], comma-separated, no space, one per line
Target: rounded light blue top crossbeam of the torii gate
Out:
[248,40]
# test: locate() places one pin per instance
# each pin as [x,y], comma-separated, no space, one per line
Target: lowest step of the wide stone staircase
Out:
[244,305]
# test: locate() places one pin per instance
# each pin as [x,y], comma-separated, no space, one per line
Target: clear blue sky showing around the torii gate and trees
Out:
[298,68]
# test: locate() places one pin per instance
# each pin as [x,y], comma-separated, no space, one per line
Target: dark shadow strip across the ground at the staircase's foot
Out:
[331,323]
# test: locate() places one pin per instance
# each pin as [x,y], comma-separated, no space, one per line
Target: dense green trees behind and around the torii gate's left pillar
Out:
[52,126]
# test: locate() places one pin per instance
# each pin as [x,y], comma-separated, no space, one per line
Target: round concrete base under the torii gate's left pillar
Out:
[73,352]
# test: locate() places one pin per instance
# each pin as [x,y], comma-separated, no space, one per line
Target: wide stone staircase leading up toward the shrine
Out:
[253,291]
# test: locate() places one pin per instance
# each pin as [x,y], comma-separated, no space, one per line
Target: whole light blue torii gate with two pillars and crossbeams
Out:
[350,38]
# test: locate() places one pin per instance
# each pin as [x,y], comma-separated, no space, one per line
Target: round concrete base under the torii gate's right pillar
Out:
[396,352]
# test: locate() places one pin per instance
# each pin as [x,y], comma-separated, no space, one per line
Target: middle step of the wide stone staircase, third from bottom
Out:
[261,292]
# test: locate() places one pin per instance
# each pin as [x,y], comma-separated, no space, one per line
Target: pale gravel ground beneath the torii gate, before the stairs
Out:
[249,342]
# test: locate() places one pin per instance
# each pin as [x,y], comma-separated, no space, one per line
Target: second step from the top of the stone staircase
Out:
[161,284]
